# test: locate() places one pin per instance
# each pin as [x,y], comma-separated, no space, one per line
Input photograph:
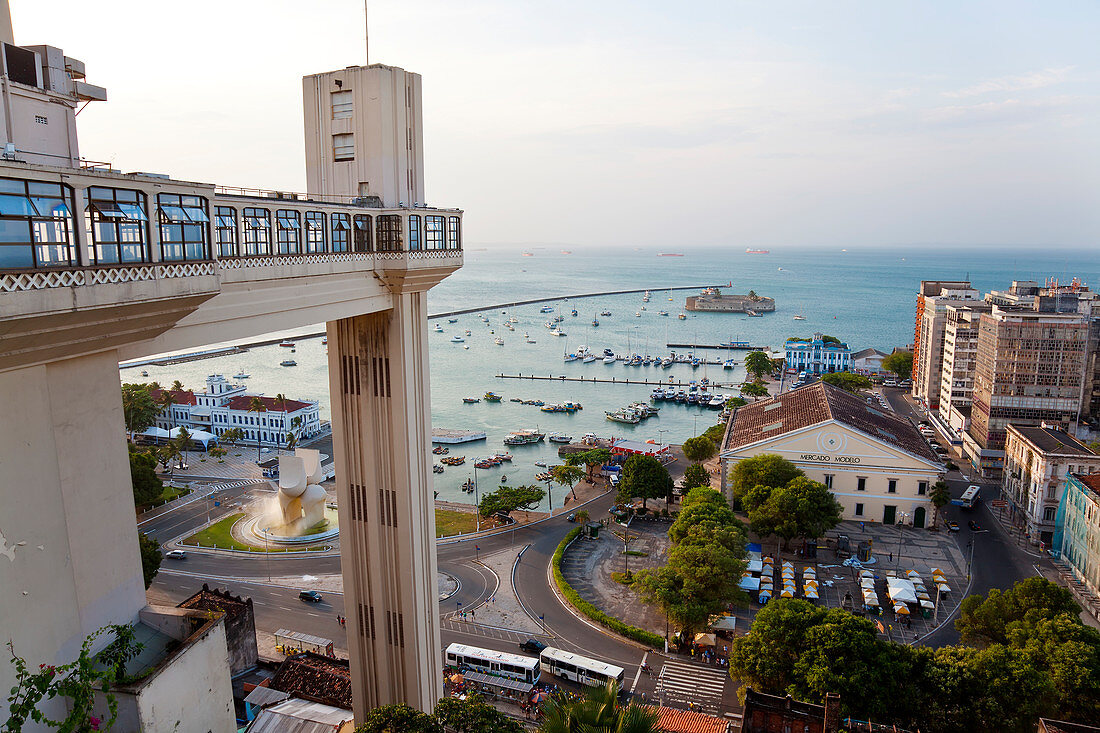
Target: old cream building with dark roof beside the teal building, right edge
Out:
[1037,463]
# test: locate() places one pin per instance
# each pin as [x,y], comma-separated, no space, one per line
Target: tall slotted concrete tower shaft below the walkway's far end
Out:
[381,425]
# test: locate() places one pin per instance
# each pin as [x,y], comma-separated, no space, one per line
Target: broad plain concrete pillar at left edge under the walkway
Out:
[70,563]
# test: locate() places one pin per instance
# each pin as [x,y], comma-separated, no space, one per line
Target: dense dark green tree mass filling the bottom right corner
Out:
[1047,663]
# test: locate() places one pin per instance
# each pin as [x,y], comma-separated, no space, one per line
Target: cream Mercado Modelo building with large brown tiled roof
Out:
[877,465]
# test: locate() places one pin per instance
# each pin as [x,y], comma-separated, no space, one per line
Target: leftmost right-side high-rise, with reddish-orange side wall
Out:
[932,302]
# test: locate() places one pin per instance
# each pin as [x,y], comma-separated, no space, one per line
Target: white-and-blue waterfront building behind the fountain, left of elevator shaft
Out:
[225,406]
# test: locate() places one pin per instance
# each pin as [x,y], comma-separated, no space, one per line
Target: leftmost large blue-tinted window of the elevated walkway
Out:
[36,225]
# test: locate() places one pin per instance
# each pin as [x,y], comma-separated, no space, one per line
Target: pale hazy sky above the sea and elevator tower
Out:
[644,124]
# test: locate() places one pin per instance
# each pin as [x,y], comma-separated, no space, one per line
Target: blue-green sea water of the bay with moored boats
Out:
[863,297]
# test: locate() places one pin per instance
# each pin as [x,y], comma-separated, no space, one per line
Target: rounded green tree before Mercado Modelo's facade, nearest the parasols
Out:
[801,509]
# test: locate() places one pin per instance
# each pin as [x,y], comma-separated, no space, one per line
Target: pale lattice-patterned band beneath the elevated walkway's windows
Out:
[46,279]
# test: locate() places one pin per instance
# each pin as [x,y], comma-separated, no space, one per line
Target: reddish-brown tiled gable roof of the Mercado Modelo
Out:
[819,403]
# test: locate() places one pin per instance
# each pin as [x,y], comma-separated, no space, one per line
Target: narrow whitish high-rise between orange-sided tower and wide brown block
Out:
[961,356]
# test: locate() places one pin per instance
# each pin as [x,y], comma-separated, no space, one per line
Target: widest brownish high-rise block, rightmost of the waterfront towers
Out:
[1030,370]
